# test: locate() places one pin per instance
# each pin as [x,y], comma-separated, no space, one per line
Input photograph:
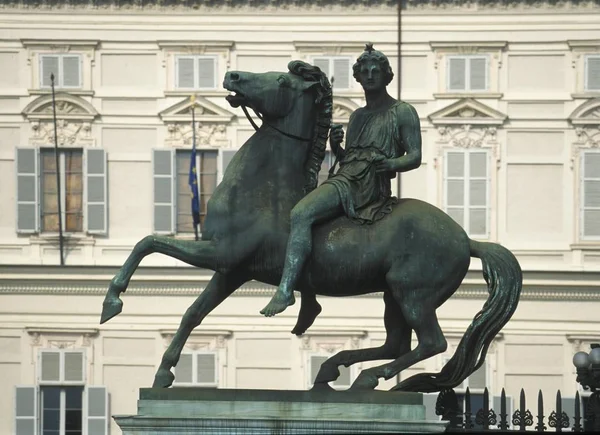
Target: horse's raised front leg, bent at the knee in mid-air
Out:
[199,254]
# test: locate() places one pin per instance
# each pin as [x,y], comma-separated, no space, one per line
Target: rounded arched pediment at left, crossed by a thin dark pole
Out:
[68,107]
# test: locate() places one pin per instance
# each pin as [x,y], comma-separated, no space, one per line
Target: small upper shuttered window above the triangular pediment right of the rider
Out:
[467,73]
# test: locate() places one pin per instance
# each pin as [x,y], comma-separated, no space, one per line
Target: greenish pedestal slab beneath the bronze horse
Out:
[211,411]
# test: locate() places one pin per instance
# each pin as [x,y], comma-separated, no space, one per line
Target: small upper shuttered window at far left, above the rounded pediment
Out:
[65,67]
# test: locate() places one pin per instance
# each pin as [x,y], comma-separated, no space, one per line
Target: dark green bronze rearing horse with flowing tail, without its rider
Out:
[417,255]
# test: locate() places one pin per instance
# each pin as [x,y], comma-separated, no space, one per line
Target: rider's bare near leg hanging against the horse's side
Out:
[321,204]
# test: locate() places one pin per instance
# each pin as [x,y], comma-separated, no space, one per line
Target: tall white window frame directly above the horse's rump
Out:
[466,190]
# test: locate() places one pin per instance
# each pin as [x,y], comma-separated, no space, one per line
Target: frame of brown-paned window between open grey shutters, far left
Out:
[63,193]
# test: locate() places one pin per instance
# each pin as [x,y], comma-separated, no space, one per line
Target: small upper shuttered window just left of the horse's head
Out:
[195,72]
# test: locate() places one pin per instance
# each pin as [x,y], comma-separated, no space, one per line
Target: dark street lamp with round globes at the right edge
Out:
[588,375]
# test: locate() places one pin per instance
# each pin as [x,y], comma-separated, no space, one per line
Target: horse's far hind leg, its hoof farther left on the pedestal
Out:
[397,343]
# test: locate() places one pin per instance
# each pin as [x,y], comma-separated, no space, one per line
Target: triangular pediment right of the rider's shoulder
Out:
[467,111]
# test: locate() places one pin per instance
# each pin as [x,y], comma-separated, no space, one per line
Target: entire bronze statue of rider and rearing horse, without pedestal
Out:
[363,240]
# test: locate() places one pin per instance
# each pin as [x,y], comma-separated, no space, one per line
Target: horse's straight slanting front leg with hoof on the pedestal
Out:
[218,289]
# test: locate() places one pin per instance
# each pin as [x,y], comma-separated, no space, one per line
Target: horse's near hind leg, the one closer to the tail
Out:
[418,307]
